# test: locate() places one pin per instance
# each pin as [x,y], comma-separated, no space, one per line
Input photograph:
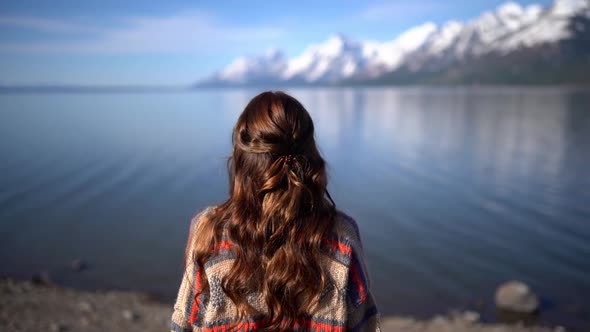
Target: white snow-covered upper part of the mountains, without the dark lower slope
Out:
[509,30]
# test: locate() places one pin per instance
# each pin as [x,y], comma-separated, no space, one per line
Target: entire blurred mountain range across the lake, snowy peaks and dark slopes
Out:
[510,45]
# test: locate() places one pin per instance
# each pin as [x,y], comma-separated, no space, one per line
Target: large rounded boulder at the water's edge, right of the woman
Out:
[516,296]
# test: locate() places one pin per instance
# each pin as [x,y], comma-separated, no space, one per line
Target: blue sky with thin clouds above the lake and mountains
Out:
[173,42]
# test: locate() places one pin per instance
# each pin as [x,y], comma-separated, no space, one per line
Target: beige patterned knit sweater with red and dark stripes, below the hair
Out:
[345,305]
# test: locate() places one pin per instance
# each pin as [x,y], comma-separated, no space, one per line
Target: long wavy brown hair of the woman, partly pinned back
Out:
[277,214]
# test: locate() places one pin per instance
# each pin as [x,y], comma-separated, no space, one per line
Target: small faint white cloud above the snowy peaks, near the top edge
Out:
[399,9]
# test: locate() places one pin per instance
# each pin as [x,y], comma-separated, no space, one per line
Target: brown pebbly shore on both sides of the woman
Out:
[29,306]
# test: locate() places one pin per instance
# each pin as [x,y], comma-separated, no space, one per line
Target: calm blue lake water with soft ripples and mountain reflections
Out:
[455,190]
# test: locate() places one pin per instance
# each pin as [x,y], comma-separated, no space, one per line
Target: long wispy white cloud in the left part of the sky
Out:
[183,33]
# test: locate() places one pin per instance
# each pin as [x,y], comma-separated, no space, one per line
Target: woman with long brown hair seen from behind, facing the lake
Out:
[277,255]
